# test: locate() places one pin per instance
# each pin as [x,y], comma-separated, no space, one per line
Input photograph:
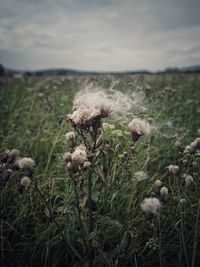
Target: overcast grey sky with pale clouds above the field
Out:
[99,35]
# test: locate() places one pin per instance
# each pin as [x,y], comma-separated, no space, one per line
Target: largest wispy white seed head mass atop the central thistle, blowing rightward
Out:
[92,102]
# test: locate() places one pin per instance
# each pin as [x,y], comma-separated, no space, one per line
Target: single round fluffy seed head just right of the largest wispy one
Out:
[140,127]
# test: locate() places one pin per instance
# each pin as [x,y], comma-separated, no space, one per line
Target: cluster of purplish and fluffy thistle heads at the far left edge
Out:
[10,163]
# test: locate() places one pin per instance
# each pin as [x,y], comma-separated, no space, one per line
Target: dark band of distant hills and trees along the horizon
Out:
[64,71]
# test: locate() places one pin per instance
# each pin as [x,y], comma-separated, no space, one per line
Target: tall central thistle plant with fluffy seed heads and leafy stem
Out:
[88,159]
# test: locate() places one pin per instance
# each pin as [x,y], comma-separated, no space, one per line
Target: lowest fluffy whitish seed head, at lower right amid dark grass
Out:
[150,205]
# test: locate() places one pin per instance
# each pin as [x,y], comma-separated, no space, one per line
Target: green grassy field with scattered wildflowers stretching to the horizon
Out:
[48,223]
